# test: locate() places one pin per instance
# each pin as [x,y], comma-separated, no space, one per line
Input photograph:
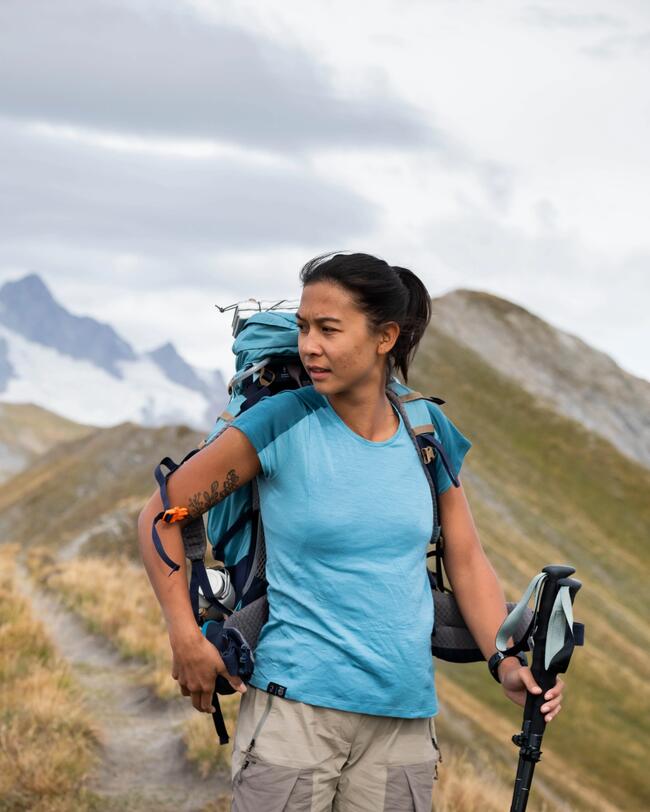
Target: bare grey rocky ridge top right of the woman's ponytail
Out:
[563,371]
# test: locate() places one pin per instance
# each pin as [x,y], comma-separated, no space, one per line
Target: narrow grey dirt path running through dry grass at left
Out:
[142,765]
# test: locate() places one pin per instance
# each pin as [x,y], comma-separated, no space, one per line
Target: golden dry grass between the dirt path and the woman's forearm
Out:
[115,599]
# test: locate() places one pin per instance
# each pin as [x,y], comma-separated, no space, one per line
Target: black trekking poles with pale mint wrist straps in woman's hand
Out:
[554,635]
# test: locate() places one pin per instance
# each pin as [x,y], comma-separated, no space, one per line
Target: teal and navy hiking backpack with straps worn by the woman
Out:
[267,362]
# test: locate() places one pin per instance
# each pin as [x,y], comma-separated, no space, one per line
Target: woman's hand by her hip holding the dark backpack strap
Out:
[196,663]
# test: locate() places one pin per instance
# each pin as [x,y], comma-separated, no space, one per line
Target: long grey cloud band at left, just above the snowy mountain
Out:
[62,192]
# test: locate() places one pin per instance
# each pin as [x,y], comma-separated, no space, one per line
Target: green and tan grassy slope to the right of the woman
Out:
[543,490]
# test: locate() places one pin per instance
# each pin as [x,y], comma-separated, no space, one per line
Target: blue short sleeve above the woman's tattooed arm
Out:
[267,424]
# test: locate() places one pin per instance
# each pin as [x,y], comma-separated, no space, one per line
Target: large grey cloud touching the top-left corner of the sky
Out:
[160,70]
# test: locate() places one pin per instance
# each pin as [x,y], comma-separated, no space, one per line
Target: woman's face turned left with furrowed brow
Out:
[334,334]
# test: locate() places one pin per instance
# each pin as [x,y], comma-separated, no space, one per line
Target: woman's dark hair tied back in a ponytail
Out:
[384,293]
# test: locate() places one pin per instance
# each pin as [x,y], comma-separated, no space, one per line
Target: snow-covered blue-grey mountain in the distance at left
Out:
[83,370]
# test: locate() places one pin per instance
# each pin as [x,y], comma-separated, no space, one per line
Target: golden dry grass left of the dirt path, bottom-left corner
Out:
[47,740]
